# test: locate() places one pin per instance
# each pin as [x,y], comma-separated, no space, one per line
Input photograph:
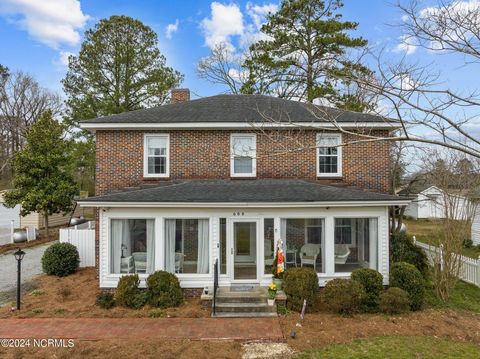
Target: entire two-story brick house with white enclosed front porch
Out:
[182,185]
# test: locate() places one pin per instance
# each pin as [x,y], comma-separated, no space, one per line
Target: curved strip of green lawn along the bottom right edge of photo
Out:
[398,348]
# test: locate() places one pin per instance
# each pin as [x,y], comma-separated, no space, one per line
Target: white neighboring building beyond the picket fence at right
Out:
[428,202]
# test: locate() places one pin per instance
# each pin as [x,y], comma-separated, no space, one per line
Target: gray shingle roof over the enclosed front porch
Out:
[243,191]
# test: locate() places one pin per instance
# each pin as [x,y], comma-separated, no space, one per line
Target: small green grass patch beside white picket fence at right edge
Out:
[464,296]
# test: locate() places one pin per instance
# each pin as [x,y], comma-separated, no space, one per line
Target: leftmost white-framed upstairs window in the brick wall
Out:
[156,155]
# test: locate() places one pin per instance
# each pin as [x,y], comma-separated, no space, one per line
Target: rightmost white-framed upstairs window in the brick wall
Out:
[329,155]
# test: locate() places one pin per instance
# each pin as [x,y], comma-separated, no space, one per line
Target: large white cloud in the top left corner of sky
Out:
[52,22]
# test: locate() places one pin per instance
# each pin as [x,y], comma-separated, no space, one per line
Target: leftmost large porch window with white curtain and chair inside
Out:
[132,246]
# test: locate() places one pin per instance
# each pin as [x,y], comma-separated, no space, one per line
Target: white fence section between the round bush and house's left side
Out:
[81,236]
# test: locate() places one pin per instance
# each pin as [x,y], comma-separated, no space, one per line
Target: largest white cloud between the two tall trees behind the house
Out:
[225,21]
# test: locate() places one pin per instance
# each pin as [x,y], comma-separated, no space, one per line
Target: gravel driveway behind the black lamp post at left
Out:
[31,266]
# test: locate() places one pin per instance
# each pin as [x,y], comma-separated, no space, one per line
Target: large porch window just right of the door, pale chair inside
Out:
[304,242]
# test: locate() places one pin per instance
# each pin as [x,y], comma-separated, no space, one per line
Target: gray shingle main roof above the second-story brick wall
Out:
[238,108]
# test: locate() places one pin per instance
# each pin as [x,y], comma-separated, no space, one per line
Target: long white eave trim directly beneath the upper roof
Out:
[232,125]
